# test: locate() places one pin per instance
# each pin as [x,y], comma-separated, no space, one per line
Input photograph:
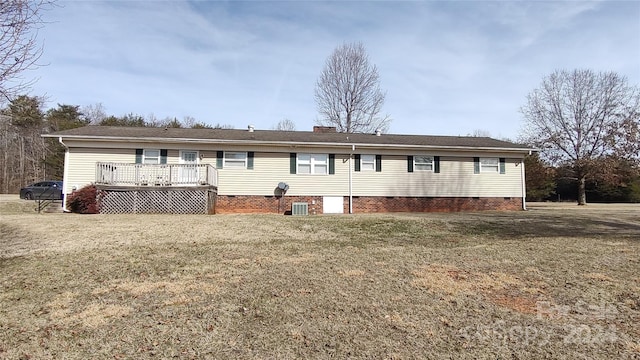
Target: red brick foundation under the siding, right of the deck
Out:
[226,204]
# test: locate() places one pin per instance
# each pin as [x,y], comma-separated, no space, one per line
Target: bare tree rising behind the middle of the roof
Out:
[348,92]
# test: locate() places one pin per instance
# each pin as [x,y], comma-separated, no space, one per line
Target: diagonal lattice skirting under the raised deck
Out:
[158,201]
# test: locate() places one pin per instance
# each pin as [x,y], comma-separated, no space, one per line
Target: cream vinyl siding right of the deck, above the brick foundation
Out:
[456,179]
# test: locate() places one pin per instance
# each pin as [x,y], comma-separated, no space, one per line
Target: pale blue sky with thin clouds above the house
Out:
[448,68]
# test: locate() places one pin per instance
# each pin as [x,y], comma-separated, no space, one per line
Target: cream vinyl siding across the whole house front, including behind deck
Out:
[456,177]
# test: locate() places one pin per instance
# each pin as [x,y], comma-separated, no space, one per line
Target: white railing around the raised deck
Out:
[125,174]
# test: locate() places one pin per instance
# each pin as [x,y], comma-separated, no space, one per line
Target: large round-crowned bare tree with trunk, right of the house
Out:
[576,118]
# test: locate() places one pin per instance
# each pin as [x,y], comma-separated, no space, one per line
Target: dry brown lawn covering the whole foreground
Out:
[547,283]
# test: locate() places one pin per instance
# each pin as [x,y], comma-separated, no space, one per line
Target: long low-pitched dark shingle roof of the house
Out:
[275,137]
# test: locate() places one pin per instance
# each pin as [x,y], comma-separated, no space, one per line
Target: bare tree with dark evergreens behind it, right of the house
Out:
[586,125]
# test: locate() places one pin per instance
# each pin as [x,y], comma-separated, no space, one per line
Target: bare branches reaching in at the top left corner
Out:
[19,49]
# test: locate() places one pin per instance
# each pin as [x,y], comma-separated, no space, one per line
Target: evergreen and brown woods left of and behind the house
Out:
[28,157]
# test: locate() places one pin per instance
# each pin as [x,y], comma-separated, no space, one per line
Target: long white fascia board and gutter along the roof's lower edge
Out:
[285,143]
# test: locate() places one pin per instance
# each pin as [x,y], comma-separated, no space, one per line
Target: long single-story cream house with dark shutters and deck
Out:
[264,171]
